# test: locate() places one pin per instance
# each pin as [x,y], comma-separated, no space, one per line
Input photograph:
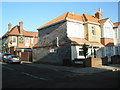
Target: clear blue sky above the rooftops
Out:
[36,14]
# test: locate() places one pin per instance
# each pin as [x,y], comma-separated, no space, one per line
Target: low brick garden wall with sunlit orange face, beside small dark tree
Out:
[91,62]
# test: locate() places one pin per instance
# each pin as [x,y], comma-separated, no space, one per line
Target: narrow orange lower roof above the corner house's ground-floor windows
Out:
[82,41]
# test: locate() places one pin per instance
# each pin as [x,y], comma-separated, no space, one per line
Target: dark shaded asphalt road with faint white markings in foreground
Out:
[28,76]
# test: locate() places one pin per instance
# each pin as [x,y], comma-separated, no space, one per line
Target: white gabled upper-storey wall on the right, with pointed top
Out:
[108,31]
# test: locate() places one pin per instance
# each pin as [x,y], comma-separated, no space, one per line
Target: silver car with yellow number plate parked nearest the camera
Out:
[12,59]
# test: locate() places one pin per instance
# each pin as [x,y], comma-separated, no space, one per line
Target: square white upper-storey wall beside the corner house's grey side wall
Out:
[75,30]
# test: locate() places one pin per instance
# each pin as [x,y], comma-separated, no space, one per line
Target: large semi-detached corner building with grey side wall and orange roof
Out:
[62,38]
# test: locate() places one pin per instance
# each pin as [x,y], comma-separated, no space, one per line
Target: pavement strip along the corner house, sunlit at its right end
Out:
[78,70]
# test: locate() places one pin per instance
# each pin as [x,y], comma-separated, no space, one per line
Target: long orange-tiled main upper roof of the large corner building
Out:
[73,16]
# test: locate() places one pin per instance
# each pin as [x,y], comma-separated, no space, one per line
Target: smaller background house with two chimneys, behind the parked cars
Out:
[17,41]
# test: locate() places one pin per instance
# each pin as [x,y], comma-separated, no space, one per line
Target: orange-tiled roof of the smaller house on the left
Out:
[16,31]
